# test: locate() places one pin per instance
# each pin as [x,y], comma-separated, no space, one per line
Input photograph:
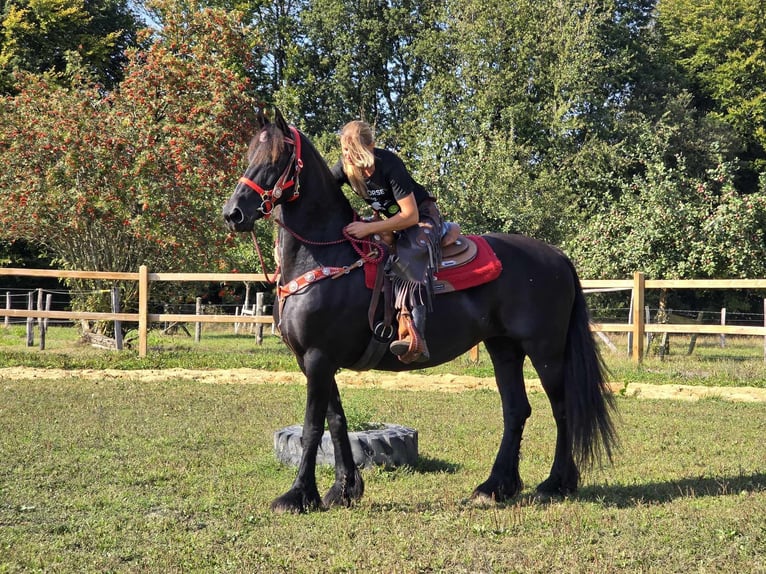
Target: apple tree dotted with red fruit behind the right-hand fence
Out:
[674,223]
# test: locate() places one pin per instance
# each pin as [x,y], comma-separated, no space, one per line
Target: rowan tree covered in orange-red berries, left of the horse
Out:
[138,175]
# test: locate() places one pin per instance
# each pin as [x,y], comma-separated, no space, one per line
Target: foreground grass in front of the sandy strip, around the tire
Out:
[177,476]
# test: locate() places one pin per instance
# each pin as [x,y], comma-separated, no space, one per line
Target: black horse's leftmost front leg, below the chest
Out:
[304,494]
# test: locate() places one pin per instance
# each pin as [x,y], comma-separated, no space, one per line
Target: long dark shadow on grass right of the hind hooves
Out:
[660,492]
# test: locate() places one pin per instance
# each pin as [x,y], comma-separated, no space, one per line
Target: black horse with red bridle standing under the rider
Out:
[534,309]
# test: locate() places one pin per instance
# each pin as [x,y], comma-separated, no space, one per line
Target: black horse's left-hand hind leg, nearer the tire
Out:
[504,481]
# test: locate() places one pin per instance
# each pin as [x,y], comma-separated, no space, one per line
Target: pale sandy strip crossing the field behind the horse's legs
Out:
[397,381]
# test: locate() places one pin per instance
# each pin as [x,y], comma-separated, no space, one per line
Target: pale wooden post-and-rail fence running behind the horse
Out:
[637,327]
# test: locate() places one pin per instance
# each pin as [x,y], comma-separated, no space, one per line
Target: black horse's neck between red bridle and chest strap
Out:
[313,223]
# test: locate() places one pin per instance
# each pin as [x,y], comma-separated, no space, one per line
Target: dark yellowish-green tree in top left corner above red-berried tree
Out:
[38,35]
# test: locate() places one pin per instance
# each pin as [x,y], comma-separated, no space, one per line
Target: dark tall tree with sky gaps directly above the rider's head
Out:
[344,60]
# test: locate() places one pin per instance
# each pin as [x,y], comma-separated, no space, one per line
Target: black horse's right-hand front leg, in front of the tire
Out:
[348,486]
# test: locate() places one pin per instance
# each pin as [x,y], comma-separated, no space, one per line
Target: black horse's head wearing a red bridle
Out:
[272,175]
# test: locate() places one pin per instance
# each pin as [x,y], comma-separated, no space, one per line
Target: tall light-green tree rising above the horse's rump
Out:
[514,110]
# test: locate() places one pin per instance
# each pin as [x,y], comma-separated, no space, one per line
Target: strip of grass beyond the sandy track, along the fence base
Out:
[740,363]
